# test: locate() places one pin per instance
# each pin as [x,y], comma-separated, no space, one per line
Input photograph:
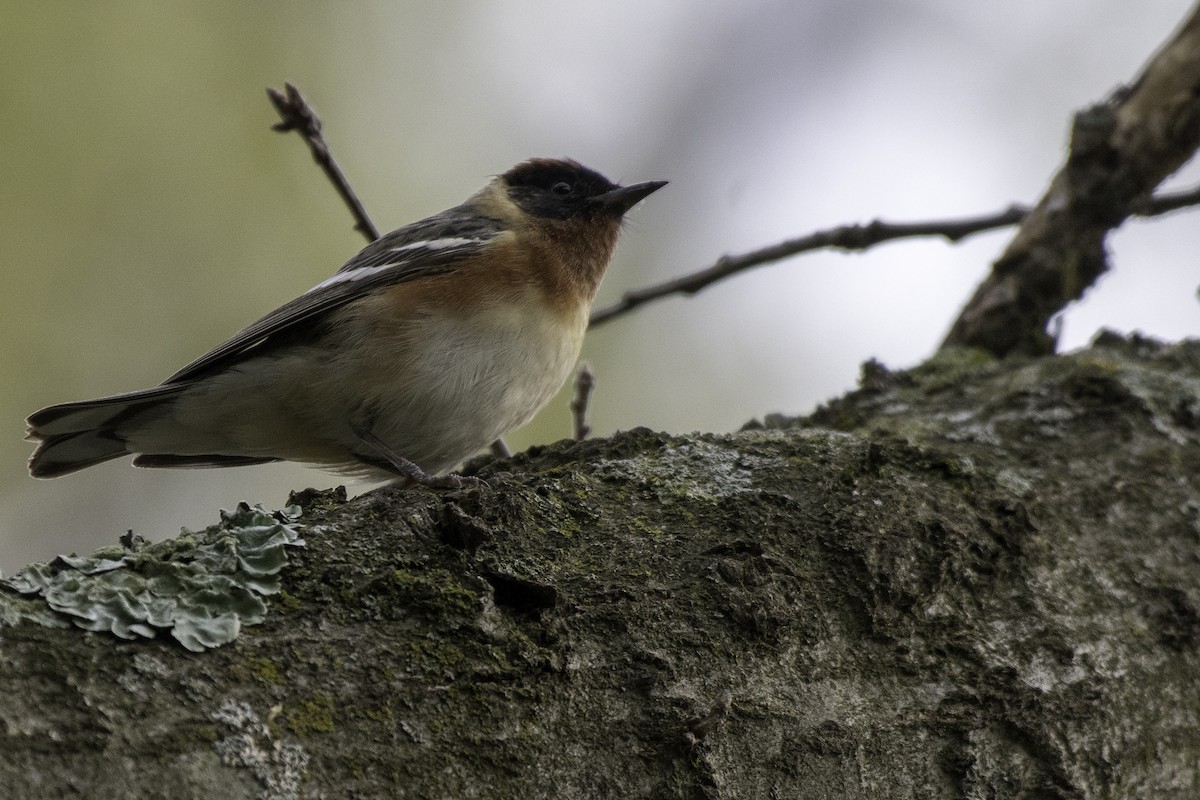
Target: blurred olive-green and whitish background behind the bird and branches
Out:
[148,212]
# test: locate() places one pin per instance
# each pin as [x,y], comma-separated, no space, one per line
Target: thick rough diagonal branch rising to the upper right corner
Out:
[1120,152]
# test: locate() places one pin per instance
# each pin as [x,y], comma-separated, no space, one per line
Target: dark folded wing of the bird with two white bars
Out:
[433,246]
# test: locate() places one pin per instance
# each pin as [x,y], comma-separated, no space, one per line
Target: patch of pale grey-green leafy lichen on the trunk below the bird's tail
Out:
[201,587]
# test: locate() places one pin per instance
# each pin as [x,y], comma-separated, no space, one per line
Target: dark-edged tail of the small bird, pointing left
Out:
[74,436]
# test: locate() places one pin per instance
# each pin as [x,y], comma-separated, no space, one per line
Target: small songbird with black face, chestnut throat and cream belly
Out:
[433,342]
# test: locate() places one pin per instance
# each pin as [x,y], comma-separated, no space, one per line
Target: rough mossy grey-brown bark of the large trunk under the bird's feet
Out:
[975,579]
